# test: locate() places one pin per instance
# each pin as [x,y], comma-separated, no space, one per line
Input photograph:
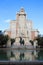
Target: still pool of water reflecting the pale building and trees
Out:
[21,55]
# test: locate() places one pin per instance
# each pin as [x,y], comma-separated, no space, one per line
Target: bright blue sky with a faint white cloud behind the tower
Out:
[33,8]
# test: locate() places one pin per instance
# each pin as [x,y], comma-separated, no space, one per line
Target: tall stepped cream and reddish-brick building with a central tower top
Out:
[21,27]
